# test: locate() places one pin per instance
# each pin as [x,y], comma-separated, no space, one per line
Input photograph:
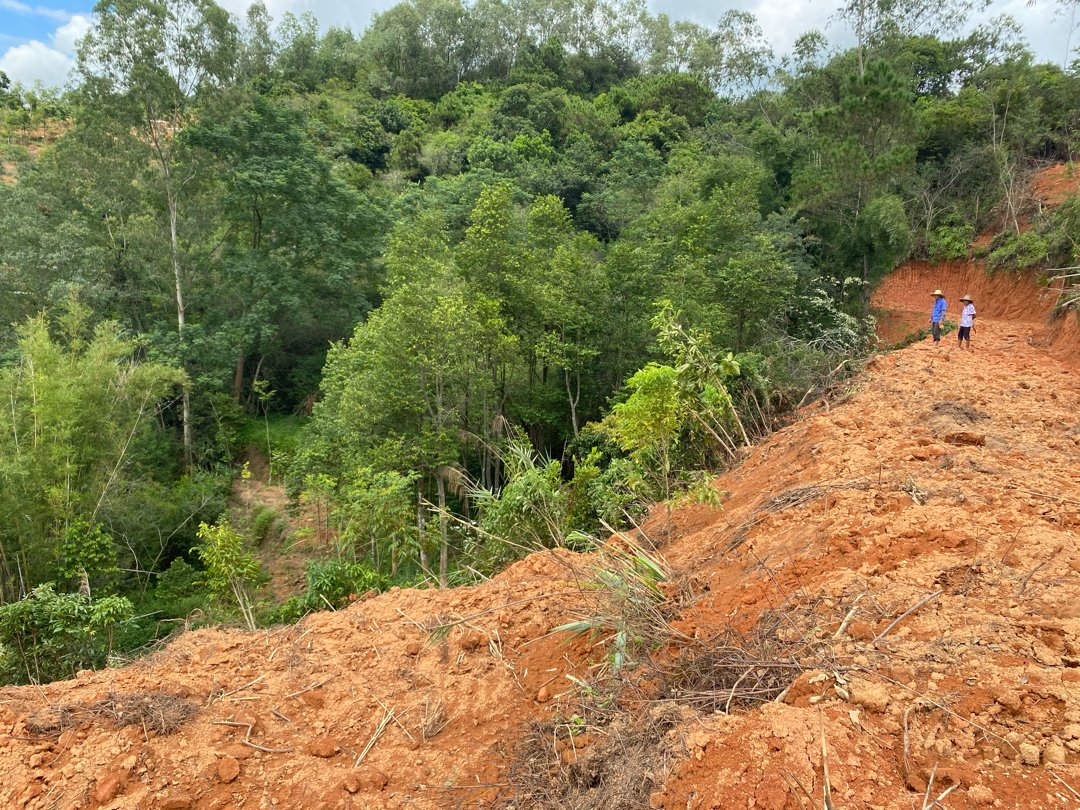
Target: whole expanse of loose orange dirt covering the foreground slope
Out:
[897,576]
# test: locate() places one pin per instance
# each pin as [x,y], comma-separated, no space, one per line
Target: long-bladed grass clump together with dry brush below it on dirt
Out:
[610,744]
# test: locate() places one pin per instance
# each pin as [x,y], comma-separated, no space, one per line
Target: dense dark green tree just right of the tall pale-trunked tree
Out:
[291,236]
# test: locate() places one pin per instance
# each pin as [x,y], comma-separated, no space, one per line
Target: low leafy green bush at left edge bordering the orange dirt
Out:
[48,636]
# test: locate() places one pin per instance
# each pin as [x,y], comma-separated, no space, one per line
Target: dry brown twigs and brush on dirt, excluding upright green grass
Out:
[612,744]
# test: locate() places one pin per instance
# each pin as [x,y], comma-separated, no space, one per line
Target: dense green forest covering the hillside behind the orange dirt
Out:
[481,279]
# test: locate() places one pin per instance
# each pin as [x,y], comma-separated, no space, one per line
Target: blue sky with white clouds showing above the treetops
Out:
[37,39]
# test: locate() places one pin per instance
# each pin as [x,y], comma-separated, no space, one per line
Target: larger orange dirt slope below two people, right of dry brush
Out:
[948,484]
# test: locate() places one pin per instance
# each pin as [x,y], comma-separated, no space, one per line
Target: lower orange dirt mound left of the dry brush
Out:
[407,700]
